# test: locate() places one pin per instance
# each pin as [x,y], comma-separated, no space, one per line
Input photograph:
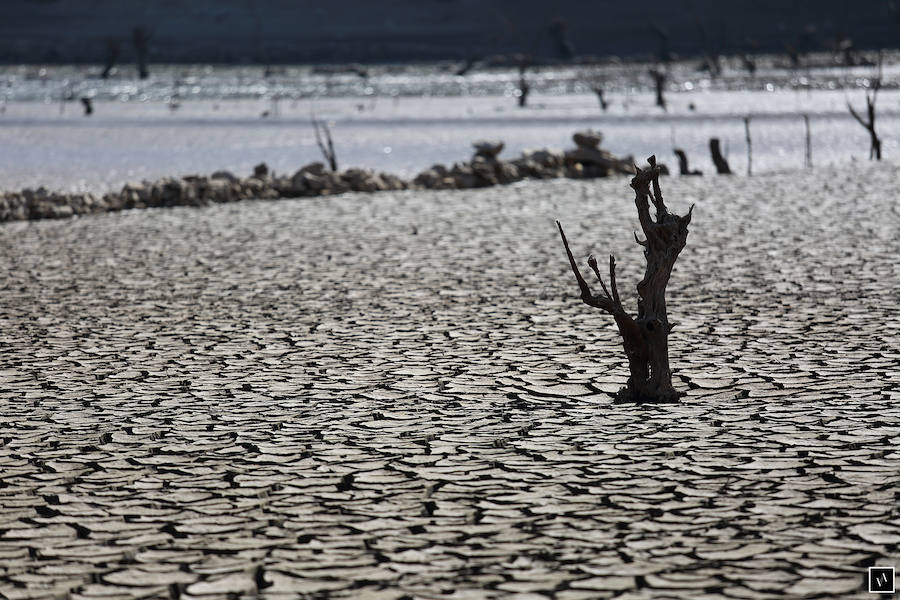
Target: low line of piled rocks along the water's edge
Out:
[485,169]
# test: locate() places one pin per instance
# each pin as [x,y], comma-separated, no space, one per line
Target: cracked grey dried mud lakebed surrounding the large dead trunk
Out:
[400,395]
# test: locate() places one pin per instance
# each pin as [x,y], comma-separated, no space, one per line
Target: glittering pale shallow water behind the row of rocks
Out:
[198,119]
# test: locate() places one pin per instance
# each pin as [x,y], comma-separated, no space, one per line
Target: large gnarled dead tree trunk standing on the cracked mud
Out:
[645,337]
